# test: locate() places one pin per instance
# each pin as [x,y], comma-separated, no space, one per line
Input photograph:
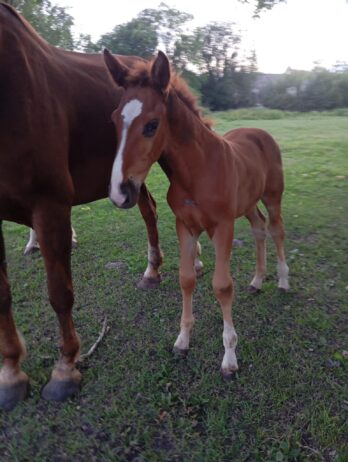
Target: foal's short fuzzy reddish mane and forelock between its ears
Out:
[140,75]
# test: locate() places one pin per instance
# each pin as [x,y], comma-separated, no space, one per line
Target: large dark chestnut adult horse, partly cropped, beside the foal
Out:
[57,147]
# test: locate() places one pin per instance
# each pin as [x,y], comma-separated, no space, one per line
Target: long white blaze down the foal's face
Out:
[130,111]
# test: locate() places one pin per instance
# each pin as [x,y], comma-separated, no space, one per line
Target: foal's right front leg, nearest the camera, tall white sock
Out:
[223,289]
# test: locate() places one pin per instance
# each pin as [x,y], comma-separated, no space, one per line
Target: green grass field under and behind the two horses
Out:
[289,402]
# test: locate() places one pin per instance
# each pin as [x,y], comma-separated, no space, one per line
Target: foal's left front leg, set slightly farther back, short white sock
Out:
[187,274]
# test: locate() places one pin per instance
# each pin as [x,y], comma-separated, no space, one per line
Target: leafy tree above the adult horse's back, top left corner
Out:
[52,22]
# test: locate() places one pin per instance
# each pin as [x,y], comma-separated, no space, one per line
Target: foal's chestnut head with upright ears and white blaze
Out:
[141,124]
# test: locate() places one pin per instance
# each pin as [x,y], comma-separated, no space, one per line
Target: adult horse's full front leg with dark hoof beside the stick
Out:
[52,224]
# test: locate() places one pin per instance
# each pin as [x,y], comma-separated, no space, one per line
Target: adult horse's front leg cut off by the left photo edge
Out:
[13,381]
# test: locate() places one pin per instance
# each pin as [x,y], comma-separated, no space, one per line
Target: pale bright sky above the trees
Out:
[298,34]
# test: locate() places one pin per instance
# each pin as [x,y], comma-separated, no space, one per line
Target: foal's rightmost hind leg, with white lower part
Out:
[276,229]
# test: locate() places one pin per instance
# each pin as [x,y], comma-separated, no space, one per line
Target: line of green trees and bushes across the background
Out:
[208,57]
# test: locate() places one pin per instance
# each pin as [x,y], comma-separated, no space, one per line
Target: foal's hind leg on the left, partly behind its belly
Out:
[258,226]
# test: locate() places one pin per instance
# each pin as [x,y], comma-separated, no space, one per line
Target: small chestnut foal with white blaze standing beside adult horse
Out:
[213,181]
